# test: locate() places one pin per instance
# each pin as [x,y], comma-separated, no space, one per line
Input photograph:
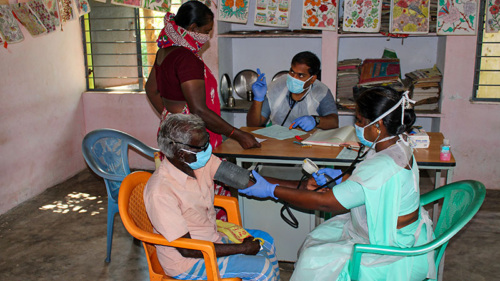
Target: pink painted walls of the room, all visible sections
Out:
[44,116]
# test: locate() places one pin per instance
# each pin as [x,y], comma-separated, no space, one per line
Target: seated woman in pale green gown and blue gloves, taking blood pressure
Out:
[378,204]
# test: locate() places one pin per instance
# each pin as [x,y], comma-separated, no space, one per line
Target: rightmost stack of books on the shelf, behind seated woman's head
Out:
[426,84]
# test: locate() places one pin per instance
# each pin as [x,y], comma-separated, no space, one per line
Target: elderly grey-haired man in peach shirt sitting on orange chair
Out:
[179,201]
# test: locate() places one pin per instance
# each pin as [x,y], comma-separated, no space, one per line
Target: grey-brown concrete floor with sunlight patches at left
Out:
[61,235]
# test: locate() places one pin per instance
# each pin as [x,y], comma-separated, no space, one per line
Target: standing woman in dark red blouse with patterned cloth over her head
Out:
[180,82]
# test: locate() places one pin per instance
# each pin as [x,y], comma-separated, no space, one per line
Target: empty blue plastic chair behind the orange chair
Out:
[106,153]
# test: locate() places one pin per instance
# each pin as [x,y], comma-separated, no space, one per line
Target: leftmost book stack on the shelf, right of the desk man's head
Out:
[347,78]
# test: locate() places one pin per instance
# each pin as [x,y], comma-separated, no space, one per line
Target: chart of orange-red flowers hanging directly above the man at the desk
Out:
[319,14]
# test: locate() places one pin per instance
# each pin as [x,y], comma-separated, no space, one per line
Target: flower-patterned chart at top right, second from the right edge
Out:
[457,17]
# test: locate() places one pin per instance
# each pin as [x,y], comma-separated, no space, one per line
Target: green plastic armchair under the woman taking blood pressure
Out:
[461,202]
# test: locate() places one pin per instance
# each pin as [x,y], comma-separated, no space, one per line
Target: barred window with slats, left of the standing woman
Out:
[120,45]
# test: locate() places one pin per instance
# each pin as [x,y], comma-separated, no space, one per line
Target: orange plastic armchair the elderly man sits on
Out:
[137,223]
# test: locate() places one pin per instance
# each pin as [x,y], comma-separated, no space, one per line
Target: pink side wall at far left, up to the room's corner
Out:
[41,128]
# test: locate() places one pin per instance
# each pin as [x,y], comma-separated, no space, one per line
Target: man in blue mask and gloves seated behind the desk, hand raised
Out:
[298,99]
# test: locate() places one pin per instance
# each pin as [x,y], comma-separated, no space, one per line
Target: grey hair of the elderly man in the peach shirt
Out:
[179,128]
